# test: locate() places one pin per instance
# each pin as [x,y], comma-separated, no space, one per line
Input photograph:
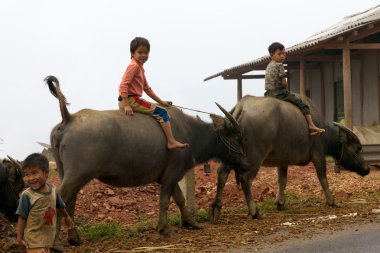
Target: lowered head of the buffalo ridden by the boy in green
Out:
[350,155]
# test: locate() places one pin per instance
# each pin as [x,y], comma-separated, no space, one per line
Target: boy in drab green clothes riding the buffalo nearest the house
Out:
[276,84]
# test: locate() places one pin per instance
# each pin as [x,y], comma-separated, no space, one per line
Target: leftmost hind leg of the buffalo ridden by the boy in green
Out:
[214,210]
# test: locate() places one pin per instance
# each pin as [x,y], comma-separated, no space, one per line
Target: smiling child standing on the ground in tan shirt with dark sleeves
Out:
[38,207]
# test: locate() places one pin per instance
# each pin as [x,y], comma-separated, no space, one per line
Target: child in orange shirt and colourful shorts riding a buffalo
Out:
[134,83]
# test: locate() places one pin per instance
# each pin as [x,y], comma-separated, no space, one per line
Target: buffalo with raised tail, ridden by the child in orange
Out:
[126,151]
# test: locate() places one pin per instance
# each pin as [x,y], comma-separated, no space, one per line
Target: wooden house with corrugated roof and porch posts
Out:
[338,68]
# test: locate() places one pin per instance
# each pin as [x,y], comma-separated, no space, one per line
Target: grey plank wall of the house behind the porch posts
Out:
[368,62]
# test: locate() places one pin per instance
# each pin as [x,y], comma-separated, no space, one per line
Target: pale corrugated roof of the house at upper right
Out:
[348,23]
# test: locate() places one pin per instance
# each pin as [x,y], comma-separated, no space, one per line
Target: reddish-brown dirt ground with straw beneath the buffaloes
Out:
[307,213]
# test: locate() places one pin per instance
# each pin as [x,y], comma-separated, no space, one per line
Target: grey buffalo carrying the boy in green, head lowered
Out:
[275,133]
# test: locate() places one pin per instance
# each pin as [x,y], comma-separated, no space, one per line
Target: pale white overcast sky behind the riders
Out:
[85,44]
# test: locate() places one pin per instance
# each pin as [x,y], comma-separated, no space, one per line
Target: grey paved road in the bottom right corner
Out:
[357,239]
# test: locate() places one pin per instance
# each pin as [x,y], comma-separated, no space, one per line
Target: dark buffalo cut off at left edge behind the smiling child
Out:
[11,184]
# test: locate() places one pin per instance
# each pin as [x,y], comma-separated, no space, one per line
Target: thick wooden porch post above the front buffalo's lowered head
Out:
[347,86]
